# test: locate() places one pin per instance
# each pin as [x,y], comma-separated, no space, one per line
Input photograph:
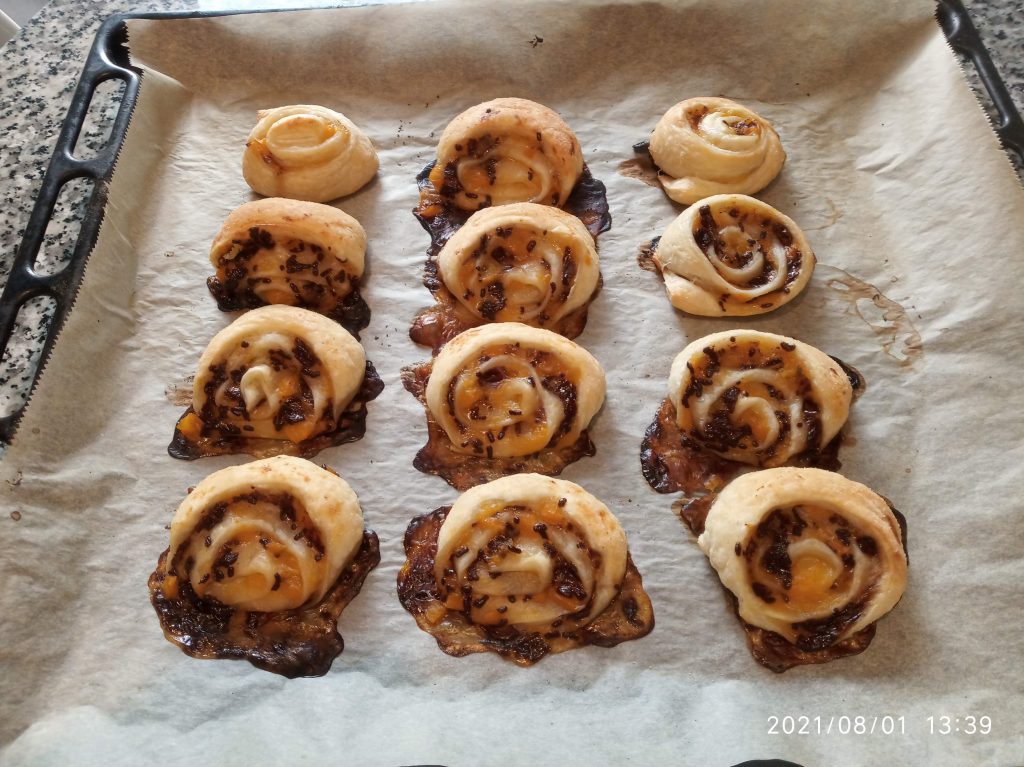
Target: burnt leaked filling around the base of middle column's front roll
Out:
[524,649]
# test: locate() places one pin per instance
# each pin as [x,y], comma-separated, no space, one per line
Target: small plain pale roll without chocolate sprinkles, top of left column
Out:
[310,153]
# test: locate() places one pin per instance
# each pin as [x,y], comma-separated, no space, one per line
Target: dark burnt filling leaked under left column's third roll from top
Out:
[352,428]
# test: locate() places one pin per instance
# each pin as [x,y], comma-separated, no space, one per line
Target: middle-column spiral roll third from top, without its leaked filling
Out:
[508,390]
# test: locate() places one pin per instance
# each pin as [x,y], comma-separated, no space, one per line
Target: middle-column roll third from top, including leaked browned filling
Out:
[506,398]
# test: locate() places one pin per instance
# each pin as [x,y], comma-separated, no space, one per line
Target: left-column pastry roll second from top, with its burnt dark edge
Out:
[280,251]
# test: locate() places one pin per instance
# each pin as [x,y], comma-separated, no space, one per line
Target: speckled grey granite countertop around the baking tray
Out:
[39,69]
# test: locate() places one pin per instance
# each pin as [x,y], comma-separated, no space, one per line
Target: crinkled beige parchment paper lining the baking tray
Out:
[899,182]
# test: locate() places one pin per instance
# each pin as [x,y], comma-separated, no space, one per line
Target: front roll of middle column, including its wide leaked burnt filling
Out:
[524,566]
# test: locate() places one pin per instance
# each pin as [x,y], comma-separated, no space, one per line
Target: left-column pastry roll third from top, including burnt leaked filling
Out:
[279,379]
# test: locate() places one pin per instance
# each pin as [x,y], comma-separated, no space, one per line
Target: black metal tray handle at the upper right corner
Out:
[964,39]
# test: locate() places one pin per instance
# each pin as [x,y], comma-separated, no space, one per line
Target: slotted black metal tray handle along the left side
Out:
[108,60]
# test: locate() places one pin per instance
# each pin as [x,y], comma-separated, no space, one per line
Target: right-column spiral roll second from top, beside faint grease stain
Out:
[734,255]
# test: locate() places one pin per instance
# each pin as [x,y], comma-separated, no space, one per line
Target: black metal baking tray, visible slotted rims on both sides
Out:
[108,61]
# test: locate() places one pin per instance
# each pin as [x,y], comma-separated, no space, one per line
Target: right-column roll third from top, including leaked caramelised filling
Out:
[742,399]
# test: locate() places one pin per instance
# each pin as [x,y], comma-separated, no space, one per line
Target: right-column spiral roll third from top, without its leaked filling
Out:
[757,398]
